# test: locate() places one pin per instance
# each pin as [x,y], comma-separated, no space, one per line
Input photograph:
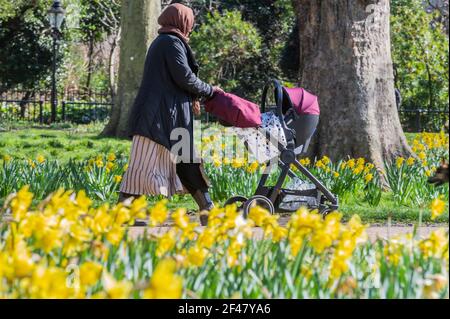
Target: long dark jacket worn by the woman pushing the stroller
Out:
[169,86]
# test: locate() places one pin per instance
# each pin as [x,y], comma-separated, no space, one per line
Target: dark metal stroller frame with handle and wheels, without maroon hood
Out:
[270,197]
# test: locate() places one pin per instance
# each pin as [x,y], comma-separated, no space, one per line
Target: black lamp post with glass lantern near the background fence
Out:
[55,17]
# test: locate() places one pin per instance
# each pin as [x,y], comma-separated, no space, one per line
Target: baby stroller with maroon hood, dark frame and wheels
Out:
[298,113]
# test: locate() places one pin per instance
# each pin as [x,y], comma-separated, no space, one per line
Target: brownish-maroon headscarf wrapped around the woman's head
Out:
[177,18]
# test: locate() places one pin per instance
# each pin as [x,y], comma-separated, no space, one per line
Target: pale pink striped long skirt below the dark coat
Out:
[151,170]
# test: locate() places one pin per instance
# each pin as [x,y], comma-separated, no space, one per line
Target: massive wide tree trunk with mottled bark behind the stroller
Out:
[345,59]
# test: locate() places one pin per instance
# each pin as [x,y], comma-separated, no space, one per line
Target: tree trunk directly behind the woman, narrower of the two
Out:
[139,27]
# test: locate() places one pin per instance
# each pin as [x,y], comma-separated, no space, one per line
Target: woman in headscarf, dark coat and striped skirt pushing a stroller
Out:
[166,100]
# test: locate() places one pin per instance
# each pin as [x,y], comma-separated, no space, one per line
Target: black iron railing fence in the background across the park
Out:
[83,107]
